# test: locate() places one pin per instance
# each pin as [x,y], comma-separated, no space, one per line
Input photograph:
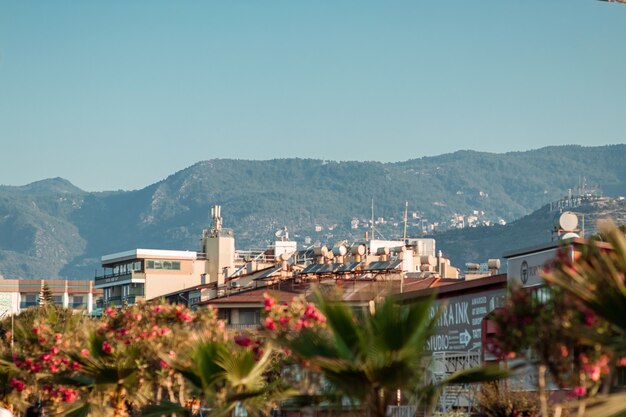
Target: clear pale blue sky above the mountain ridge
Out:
[118,95]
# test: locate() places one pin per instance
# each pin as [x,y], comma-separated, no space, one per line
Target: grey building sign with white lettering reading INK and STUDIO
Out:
[458,328]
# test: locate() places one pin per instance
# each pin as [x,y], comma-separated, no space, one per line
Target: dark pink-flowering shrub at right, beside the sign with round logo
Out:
[546,323]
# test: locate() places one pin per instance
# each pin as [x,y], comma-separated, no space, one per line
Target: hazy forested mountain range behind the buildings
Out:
[51,228]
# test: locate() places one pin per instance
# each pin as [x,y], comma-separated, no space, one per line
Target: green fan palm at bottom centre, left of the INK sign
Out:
[367,360]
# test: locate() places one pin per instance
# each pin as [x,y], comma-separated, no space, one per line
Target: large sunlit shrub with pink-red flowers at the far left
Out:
[64,358]
